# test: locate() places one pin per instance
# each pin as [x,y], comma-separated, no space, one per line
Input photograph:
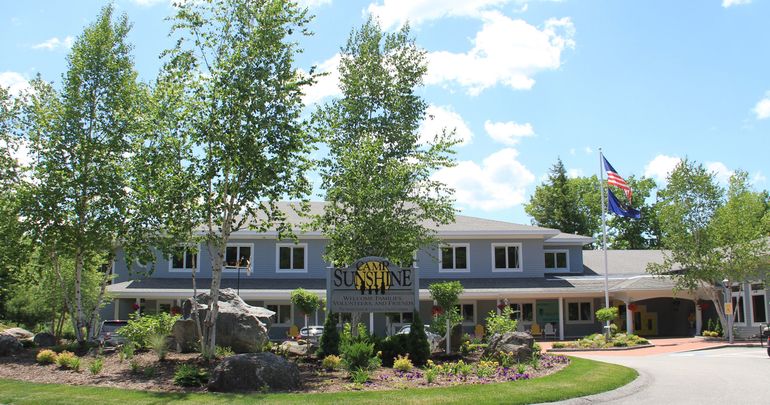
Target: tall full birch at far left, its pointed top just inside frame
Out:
[80,140]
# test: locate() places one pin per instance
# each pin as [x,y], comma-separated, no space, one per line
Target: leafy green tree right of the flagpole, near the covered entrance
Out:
[711,238]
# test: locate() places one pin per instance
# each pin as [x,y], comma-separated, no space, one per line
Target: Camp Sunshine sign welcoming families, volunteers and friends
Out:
[372,284]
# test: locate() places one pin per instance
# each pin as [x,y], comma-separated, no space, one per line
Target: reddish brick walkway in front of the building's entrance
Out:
[663,345]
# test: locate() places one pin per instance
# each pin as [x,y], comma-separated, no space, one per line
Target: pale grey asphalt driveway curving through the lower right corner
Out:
[735,375]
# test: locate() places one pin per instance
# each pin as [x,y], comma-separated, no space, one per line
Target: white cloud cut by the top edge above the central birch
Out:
[396,12]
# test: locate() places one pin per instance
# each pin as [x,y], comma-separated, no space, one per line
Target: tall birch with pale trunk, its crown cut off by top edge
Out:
[239,143]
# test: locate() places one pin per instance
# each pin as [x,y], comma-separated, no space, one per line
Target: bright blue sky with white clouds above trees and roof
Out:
[522,82]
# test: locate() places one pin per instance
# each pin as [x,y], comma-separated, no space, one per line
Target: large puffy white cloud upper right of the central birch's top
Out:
[505,51]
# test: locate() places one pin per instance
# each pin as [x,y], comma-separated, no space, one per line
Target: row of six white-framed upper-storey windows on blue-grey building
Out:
[454,257]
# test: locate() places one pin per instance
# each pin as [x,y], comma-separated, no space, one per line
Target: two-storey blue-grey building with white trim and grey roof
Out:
[543,274]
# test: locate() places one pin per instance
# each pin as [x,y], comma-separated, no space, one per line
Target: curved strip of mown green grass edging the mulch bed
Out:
[581,377]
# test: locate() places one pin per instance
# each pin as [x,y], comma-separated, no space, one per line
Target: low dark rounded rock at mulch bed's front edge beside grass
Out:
[254,371]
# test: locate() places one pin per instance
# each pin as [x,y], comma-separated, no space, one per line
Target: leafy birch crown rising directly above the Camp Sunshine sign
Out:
[379,193]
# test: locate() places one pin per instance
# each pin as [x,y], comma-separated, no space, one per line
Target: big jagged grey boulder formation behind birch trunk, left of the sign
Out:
[240,326]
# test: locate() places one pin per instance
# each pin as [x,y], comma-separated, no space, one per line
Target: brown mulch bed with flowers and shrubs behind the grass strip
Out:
[149,374]
